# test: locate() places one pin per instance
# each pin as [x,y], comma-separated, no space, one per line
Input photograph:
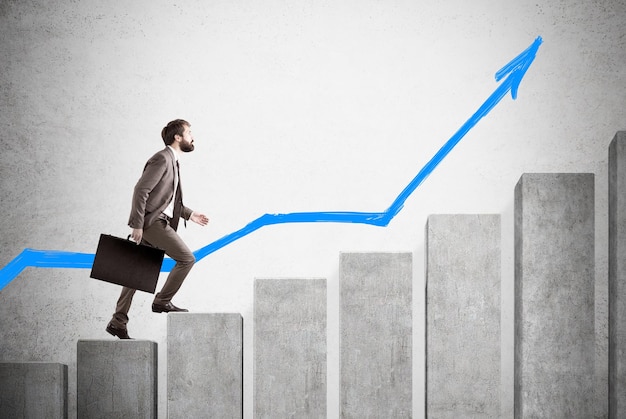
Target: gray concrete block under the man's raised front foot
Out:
[204,365]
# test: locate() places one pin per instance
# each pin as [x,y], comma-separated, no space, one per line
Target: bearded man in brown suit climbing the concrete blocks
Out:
[157,207]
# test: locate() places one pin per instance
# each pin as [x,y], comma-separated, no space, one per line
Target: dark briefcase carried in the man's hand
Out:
[127,263]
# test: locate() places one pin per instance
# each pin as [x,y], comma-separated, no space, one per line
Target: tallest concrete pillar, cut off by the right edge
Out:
[617,276]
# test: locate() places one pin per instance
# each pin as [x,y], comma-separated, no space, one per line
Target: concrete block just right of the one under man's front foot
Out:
[290,348]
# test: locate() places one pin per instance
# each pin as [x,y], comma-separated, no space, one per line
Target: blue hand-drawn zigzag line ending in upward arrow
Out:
[514,72]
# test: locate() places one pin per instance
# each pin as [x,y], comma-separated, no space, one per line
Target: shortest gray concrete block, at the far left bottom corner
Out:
[33,390]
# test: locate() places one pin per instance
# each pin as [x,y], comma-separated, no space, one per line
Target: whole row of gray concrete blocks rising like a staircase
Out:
[554,235]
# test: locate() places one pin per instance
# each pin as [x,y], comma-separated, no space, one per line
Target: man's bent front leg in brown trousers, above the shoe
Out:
[161,235]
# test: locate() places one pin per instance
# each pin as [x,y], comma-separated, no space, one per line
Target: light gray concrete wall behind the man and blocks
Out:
[295,106]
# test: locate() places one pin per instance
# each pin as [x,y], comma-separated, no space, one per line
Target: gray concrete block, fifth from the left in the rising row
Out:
[375,335]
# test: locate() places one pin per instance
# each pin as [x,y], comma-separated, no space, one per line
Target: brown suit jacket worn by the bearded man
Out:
[155,190]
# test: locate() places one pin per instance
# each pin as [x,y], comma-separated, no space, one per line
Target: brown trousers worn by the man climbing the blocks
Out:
[160,235]
